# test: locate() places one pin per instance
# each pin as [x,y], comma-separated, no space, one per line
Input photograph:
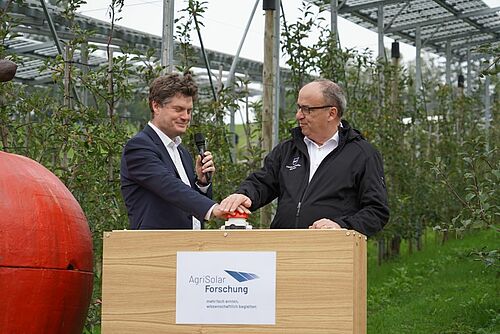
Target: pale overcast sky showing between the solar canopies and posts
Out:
[225,21]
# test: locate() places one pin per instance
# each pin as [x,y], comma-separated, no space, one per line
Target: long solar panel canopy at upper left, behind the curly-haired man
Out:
[36,43]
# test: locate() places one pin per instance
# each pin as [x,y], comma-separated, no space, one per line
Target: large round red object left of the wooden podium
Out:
[46,271]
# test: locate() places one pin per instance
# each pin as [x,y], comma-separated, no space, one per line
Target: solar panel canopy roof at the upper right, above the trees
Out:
[462,23]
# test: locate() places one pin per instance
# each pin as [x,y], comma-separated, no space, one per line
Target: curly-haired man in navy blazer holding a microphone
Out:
[161,187]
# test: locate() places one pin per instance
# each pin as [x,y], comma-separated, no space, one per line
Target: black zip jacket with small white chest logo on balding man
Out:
[348,187]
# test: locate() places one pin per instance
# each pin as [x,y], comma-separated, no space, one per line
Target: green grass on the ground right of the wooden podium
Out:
[441,289]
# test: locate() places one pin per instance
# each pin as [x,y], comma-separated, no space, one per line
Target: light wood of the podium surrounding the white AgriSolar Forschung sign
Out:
[320,279]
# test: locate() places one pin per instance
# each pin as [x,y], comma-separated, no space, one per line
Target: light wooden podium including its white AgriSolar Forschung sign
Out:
[234,281]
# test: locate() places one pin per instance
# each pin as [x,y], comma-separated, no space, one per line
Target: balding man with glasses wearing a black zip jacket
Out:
[326,176]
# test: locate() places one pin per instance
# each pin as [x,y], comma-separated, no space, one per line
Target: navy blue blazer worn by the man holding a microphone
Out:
[155,196]
